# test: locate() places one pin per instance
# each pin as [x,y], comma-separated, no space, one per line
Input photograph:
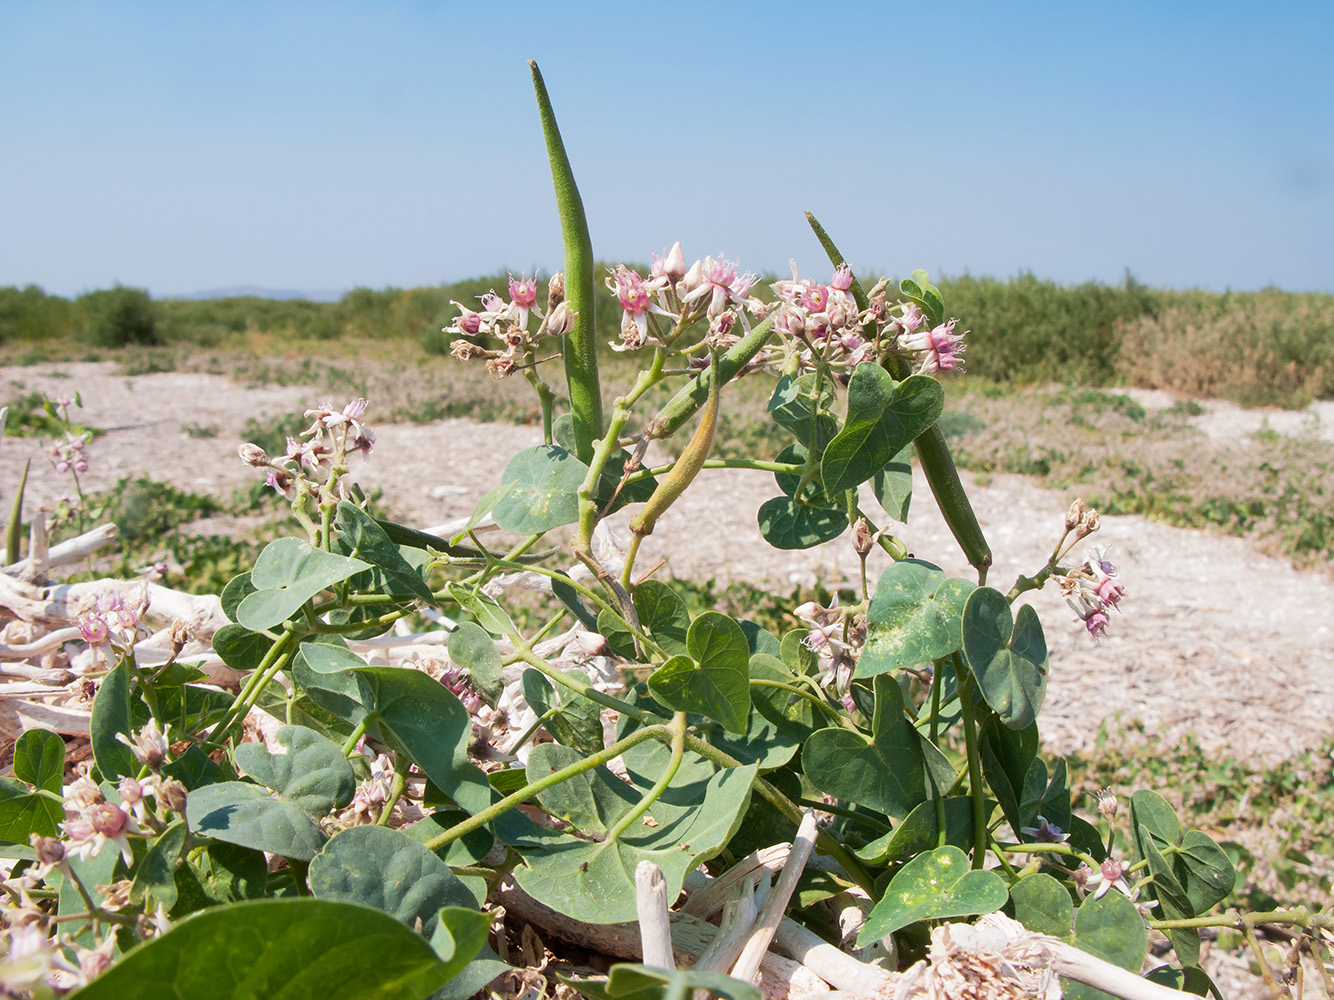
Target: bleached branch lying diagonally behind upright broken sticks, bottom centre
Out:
[780,978]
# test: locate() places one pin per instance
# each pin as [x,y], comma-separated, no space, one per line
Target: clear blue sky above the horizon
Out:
[189,146]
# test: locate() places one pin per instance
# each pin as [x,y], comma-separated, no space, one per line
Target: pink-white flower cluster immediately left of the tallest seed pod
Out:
[509,323]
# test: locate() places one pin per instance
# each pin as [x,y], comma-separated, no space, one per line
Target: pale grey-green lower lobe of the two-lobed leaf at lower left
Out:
[250,817]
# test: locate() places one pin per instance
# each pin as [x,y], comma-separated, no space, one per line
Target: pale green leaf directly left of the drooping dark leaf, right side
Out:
[916,617]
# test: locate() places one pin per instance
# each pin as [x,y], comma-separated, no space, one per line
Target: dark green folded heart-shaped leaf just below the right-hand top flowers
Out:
[882,419]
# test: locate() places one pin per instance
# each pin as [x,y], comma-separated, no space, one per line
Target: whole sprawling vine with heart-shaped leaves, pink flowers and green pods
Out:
[354,849]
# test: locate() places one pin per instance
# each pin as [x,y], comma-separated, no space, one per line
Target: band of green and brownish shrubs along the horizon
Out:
[1257,349]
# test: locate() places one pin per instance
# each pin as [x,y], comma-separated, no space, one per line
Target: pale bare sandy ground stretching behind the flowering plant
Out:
[1216,639]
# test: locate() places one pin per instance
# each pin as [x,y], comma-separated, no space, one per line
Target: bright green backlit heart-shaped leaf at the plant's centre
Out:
[713,681]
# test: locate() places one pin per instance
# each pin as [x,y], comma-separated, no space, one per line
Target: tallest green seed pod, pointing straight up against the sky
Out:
[581,345]
